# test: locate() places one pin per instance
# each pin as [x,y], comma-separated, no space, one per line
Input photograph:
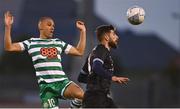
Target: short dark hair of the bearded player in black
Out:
[102,29]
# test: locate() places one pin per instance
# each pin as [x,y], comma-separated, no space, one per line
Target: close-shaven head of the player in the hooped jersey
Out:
[47,28]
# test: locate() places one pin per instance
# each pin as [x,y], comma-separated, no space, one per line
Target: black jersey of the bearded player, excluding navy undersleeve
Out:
[94,81]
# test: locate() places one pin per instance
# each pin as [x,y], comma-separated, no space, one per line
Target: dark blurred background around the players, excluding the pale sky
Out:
[151,64]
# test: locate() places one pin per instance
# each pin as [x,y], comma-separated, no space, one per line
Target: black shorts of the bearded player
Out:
[97,99]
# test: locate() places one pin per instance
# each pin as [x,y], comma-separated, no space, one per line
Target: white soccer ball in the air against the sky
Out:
[135,15]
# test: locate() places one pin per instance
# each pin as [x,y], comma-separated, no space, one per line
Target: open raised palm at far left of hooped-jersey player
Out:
[8,19]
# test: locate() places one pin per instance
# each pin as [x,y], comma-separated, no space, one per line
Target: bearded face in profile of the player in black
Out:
[113,39]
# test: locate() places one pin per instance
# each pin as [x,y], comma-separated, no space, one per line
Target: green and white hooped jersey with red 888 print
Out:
[46,57]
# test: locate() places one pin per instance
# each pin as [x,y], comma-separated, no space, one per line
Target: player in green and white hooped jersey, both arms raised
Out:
[46,56]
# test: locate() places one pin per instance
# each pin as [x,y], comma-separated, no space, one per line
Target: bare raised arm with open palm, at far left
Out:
[8,45]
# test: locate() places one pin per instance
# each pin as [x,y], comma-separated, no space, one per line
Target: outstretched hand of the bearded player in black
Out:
[121,80]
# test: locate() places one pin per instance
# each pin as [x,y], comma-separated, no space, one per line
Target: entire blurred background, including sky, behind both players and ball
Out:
[148,54]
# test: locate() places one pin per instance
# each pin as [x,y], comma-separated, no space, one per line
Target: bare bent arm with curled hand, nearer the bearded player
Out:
[79,49]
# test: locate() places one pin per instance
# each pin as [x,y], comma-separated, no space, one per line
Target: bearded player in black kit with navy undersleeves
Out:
[98,70]
